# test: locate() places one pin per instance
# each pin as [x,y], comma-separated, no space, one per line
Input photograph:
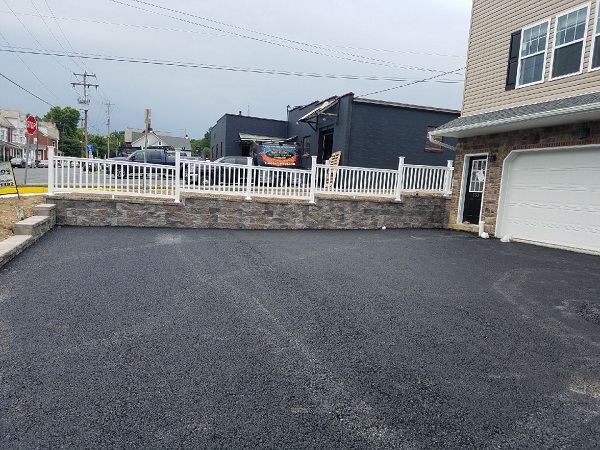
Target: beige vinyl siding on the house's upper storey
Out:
[492,23]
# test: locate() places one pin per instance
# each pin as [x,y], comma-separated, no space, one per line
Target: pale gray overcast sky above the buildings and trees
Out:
[399,39]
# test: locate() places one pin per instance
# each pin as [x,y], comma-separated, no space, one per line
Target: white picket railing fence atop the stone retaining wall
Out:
[83,175]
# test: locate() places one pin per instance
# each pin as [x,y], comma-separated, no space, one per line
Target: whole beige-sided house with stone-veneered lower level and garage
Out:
[528,153]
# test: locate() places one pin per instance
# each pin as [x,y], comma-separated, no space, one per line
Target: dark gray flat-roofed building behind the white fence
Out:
[369,133]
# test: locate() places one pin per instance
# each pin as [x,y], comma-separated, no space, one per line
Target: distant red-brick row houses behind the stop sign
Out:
[14,140]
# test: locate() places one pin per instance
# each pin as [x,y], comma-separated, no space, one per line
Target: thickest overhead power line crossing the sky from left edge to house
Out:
[225,68]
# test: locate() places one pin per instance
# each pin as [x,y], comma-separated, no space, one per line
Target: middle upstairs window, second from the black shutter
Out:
[569,43]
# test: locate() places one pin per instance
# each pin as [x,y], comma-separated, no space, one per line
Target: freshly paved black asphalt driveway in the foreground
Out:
[155,338]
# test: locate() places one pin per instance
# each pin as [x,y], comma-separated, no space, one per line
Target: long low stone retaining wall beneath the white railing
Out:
[422,211]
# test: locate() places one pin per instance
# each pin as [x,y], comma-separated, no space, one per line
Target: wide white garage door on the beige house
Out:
[552,197]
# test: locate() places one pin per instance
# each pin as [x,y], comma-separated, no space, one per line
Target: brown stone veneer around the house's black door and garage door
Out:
[502,145]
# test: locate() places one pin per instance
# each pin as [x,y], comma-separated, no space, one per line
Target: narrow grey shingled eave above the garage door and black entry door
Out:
[543,119]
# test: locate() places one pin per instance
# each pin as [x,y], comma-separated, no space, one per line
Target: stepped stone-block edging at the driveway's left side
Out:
[28,231]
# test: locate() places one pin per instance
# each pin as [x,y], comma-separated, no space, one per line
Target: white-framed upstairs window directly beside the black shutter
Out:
[532,54]
